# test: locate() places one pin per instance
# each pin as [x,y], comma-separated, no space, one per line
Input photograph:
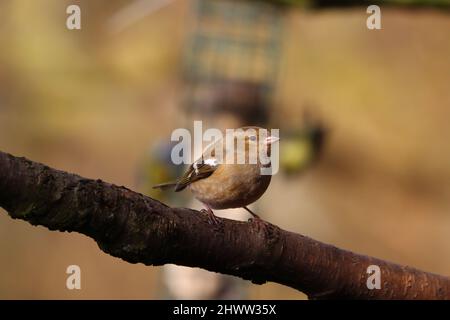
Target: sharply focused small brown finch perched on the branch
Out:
[227,177]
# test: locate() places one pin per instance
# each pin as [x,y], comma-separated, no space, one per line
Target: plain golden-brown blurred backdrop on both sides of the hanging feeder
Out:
[92,102]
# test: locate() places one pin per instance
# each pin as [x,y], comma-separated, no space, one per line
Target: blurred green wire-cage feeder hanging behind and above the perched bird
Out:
[231,59]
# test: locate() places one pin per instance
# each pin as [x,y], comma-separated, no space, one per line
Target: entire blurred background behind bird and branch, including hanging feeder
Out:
[363,115]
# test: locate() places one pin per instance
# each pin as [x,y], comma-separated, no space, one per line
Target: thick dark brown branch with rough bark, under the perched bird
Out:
[136,228]
